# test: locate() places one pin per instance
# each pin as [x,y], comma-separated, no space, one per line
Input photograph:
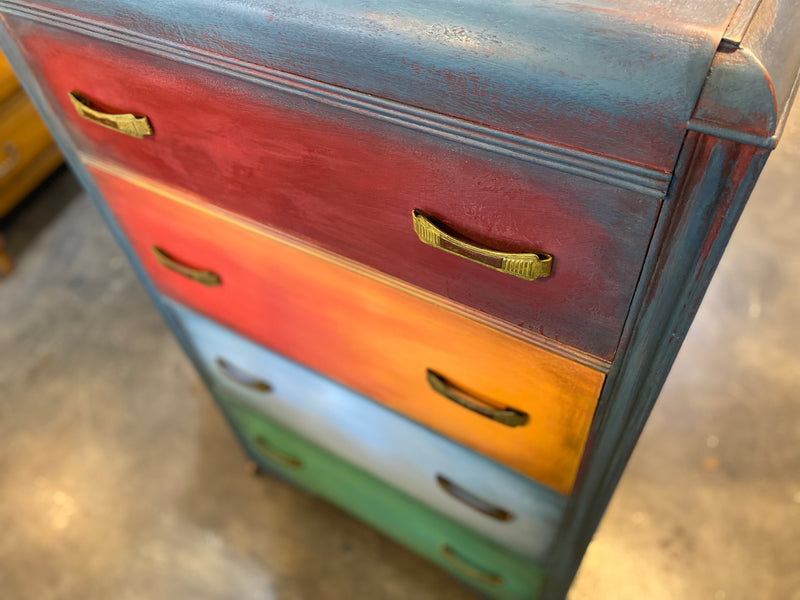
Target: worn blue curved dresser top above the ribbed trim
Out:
[574,73]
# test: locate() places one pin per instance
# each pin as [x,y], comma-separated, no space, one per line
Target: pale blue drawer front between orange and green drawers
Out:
[500,504]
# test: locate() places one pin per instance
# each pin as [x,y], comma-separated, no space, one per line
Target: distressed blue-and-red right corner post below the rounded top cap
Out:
[673,284]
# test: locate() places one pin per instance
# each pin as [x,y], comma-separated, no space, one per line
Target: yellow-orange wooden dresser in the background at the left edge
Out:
[27,152]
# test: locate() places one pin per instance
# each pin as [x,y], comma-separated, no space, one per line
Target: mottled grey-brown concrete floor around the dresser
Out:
[118,478]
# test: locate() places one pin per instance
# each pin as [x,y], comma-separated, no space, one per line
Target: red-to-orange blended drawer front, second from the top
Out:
[366,335]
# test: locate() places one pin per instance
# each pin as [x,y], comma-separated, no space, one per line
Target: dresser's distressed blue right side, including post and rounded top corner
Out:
[715,174]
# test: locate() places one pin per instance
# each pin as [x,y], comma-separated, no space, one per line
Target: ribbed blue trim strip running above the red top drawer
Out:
[575,162]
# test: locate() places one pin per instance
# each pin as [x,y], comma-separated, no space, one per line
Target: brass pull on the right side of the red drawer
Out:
[525,265]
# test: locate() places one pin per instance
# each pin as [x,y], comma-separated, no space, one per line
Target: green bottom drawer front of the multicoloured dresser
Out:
[480,563]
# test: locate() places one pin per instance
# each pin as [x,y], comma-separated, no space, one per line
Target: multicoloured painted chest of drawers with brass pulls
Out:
[433,259]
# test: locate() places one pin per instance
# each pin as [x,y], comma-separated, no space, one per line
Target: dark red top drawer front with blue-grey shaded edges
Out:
[349,184]
